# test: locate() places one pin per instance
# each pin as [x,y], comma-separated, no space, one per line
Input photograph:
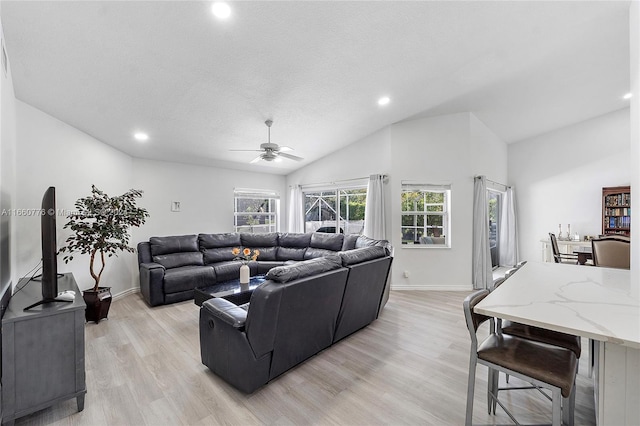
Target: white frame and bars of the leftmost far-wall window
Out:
[270,225]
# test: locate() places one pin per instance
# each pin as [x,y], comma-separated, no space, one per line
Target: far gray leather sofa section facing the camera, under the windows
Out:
[172,267]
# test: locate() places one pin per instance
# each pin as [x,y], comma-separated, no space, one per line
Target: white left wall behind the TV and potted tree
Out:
[52,153]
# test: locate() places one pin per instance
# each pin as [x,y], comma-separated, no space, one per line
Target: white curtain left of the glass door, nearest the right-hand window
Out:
[482,274]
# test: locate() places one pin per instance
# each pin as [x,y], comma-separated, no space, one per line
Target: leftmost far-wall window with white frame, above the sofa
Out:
[255,211]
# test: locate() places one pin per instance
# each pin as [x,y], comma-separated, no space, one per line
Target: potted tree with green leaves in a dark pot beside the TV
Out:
[100,226]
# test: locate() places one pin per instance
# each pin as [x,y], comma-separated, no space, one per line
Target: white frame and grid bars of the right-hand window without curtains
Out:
[421,217]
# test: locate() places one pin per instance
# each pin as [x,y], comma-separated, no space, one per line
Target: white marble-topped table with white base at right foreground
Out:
[596,303]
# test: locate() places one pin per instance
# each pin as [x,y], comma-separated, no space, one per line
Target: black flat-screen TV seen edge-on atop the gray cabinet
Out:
[49,277]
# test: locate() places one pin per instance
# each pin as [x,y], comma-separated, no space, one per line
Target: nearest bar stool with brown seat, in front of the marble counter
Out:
[546,366]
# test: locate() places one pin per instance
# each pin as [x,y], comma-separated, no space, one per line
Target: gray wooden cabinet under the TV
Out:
[42,351]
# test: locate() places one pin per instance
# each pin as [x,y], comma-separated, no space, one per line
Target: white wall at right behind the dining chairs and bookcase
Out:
[558,178]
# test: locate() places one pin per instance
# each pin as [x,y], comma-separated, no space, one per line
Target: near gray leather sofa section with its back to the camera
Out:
[300,310]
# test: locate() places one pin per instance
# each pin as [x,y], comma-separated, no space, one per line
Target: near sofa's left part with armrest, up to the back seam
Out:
[287,322]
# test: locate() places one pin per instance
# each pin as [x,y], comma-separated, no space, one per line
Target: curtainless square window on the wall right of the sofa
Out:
[426,215]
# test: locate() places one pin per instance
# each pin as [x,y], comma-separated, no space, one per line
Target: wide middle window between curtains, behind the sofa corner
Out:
[339,210]
